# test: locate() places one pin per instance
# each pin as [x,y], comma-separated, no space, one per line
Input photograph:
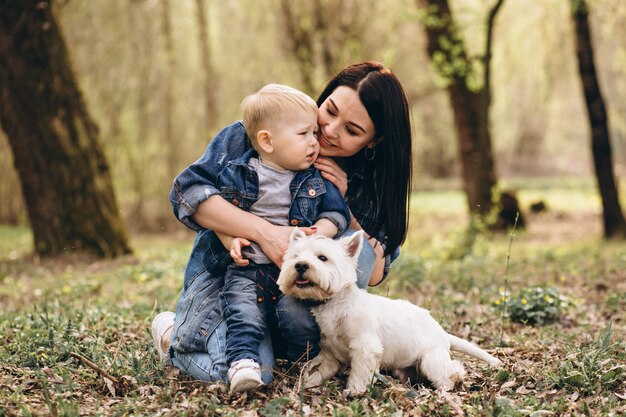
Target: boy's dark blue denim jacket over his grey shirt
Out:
[313,198]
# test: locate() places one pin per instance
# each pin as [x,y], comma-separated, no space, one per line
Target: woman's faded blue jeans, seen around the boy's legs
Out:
[199,335]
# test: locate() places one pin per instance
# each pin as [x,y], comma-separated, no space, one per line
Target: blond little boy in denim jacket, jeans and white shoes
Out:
[274,180]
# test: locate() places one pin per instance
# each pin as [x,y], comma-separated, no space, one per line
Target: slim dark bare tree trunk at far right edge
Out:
[613,218]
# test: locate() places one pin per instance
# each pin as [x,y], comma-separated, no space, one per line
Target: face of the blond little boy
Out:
[294,141]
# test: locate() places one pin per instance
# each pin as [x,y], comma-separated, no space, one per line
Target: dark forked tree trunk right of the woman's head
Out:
[470,105]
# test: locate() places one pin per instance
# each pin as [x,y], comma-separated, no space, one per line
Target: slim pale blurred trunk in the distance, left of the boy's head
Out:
[209,86]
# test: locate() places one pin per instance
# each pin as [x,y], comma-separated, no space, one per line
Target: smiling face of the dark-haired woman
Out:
[345,126]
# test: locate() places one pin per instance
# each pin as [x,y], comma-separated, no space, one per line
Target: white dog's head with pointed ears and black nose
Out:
[316,267]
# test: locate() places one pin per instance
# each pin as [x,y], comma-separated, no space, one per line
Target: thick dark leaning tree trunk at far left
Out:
[64,175]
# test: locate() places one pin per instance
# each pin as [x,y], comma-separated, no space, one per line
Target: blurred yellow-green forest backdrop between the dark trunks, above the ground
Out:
[161,77]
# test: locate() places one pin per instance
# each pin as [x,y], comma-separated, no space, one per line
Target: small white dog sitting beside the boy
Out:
[363,330]
